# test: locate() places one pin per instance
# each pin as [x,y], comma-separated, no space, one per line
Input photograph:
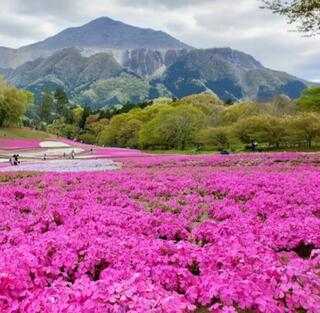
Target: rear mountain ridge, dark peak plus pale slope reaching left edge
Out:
[100,35]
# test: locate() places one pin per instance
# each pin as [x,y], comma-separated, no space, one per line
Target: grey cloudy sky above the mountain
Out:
[237,24]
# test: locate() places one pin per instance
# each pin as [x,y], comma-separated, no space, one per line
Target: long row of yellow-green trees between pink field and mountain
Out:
[198,120]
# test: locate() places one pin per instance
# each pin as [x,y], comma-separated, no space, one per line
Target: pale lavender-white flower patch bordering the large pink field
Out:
[62,166]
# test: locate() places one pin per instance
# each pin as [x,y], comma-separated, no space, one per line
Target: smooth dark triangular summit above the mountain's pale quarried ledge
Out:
[105,32]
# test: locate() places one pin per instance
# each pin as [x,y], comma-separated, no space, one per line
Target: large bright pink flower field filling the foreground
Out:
[164,234]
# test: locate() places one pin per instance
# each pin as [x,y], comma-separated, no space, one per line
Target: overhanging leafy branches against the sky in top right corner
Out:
[304,12]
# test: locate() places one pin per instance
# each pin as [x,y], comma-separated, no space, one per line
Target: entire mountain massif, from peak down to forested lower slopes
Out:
[106,62]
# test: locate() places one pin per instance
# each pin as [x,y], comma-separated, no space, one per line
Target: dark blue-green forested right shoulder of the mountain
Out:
[230,74]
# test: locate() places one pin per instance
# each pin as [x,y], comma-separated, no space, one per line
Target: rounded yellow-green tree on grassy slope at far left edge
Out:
[13,104]
